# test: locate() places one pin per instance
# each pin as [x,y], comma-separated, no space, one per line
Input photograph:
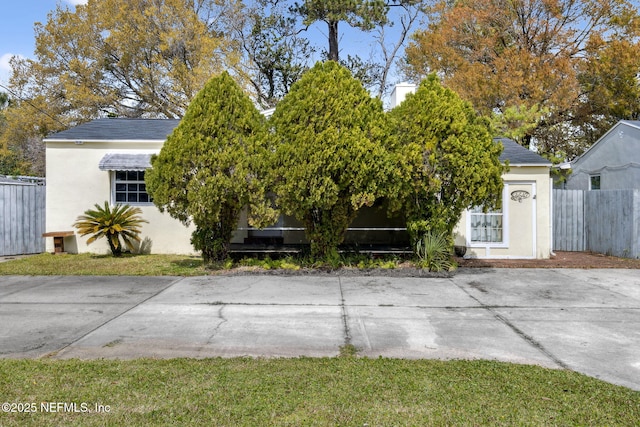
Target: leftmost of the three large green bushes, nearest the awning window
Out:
[211,167]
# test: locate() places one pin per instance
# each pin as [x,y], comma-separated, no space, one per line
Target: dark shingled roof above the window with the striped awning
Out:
[118,129]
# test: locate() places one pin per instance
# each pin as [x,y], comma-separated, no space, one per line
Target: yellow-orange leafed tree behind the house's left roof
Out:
[128,58]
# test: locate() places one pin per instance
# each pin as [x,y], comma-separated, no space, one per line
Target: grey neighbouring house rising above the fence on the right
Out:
[611,163]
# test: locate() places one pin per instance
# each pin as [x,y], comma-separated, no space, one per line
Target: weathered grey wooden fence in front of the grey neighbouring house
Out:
[603,221]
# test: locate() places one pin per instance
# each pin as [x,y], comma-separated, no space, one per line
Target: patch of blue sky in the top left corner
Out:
[16,27]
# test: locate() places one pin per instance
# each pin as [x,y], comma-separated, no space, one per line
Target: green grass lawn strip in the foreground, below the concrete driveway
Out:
[345,391]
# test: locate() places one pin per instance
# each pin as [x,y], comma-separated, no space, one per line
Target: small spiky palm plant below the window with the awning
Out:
[121,221]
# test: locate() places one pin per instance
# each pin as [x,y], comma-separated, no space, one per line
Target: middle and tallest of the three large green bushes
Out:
[329,139]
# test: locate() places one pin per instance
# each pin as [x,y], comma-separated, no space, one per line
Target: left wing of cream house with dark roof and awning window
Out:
[105,159]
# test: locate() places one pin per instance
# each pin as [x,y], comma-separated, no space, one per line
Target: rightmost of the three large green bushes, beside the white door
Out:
[451,159]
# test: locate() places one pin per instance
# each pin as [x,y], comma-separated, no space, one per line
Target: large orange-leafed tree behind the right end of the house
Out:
[550,58]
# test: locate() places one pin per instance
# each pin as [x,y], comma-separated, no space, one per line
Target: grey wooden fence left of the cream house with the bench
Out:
[22,216]
